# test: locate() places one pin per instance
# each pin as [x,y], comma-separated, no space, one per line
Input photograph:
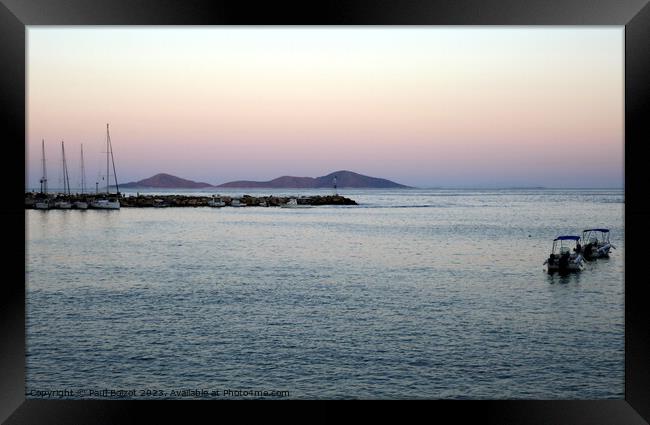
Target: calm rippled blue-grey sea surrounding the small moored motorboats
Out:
[411,294]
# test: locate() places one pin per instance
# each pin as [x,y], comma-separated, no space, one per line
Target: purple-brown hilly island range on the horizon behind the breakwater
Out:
[344,179]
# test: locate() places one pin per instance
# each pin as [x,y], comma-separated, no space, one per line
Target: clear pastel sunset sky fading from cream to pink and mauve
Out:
[423,106]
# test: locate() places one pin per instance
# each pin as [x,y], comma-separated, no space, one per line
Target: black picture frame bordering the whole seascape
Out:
[15,15]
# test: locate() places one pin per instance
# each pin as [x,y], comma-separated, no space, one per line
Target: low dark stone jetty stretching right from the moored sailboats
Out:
[158,201]
